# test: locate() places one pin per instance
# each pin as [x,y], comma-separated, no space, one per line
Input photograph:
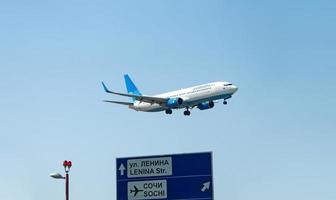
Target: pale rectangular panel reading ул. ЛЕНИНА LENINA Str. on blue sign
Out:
[161,166]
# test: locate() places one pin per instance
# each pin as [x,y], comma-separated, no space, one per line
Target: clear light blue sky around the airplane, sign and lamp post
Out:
[274,140]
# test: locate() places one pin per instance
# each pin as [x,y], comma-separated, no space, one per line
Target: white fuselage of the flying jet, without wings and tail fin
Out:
[191,96]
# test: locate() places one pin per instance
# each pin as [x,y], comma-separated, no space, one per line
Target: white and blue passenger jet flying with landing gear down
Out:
[202,97]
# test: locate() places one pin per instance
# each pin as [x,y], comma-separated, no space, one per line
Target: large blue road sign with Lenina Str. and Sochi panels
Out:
[170,177]
